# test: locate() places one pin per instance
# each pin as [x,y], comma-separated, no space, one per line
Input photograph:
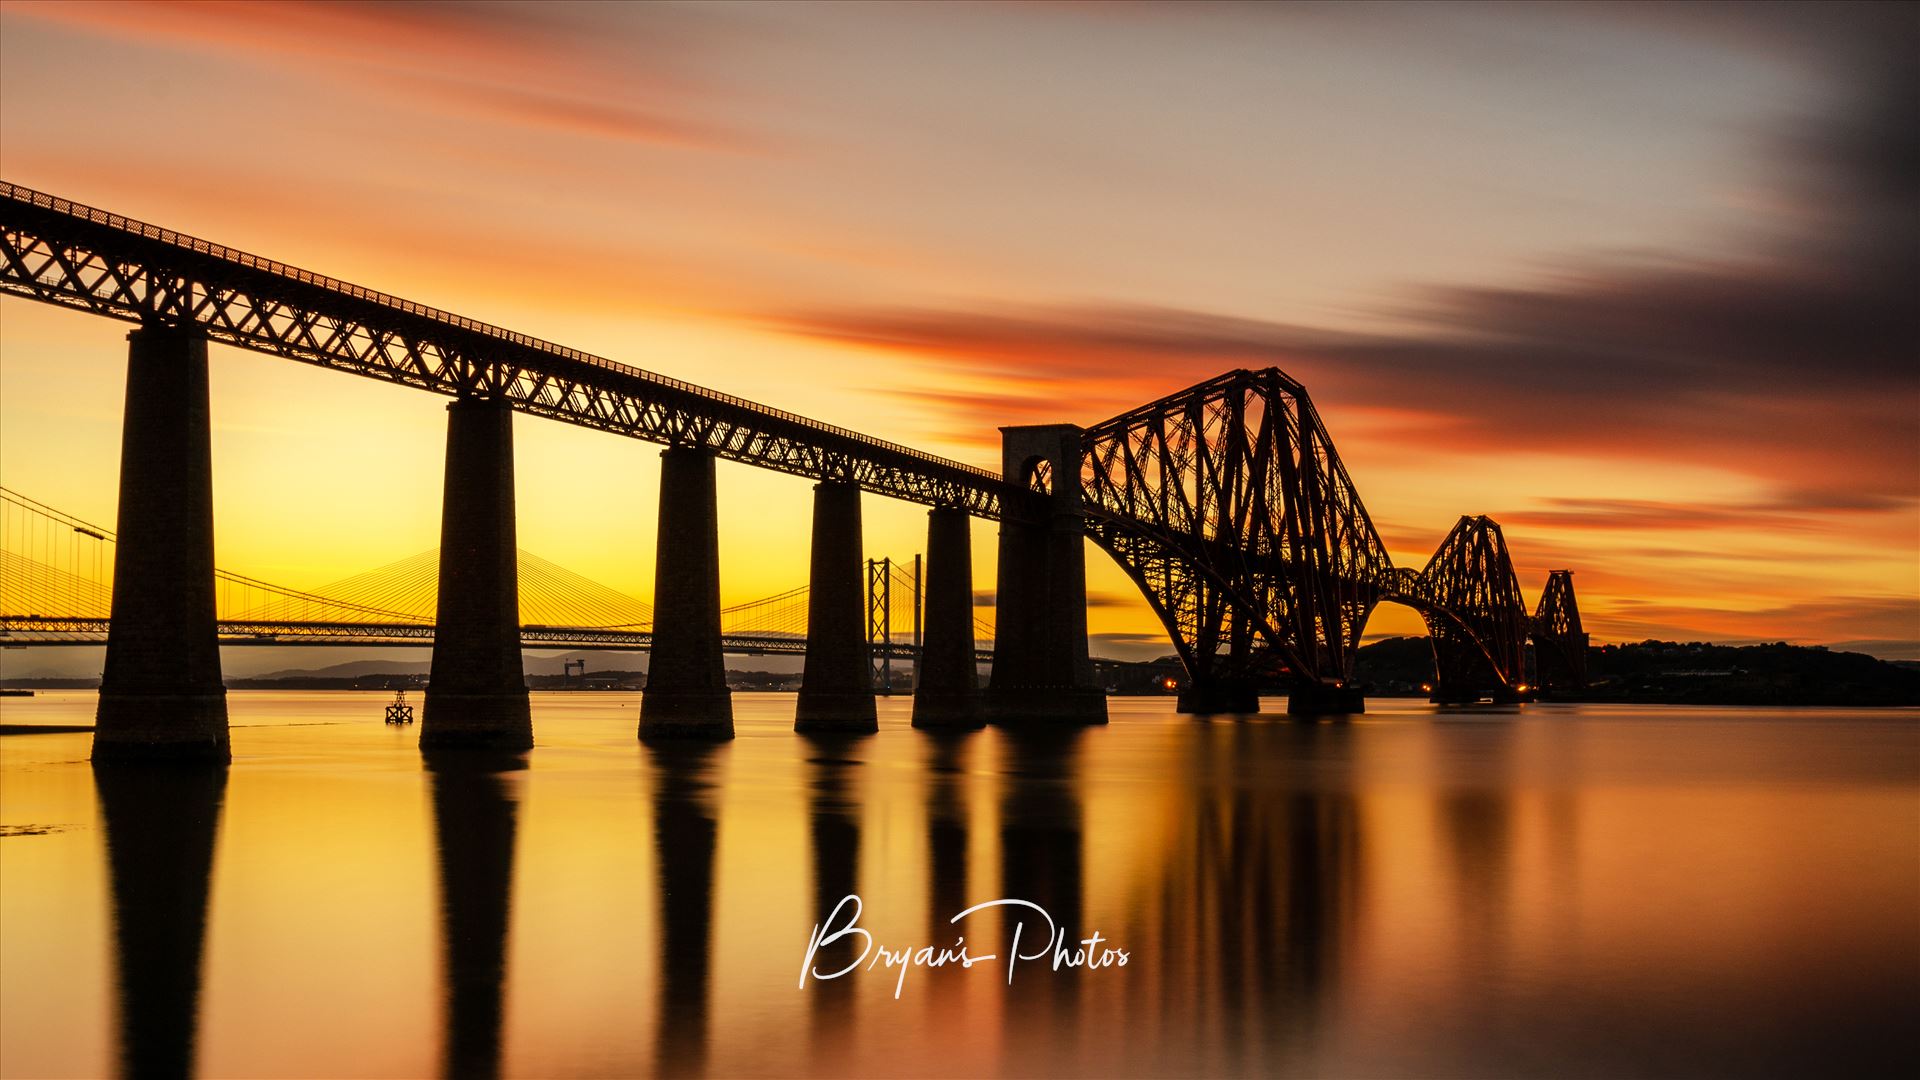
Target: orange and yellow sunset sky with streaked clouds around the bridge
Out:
[1631,280]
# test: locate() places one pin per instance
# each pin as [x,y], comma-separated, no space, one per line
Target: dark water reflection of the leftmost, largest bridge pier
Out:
[160,829]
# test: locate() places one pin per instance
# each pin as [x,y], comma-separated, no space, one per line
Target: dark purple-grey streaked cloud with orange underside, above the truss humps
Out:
[1794,364]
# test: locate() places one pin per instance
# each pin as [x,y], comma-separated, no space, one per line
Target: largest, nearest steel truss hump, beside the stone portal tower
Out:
[1230,508]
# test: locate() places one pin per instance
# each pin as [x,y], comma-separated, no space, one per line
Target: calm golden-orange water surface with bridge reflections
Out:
[1556,891]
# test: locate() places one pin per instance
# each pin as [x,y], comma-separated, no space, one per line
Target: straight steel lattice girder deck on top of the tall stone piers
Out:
[78,257]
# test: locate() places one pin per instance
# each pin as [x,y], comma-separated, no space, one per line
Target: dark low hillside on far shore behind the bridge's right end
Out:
[1685,674]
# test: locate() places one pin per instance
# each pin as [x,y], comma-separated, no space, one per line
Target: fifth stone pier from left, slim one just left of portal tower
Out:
[946,675]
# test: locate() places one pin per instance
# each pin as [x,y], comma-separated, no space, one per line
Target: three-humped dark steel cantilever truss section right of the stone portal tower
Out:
[1230,508]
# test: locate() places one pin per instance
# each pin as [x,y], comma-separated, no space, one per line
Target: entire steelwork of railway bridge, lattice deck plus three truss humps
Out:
[1226,503]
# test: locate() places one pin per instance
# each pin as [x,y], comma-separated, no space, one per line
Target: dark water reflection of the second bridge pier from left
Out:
[475,825]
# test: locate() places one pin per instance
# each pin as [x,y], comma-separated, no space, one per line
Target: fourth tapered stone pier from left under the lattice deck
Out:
[836,683]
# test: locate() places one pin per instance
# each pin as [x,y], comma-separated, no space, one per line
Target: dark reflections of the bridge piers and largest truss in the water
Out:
[1239,912]
